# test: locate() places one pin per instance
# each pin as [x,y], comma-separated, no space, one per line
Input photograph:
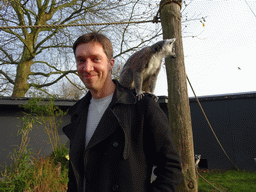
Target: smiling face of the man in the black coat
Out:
[93,66]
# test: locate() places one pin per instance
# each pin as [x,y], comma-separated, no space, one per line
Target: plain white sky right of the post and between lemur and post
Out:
[227,41]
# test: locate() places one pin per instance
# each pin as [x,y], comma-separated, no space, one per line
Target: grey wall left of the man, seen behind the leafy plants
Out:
[11,121]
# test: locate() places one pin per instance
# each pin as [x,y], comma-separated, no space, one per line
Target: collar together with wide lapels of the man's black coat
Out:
[109,122]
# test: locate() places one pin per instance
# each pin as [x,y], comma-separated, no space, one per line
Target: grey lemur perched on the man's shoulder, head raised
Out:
[142,68]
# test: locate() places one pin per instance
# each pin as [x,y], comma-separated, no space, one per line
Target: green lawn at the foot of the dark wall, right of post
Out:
[227,180]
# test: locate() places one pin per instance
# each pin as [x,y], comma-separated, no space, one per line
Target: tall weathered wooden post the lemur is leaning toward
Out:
[178,101]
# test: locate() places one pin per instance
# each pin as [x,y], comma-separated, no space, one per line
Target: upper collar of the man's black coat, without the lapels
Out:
[121,95]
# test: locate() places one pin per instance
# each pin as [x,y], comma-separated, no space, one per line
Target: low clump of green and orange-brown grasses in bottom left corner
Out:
[34,174]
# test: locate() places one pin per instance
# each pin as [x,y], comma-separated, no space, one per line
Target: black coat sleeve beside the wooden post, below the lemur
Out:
[165,156]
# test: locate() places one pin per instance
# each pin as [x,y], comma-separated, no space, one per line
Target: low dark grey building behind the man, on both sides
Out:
[233,118]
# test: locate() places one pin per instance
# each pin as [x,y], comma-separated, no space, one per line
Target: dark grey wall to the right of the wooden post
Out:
[233,119]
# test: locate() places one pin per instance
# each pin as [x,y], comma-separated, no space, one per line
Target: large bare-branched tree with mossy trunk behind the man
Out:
[35,58]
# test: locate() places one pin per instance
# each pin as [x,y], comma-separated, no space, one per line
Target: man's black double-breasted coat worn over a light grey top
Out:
[130,138]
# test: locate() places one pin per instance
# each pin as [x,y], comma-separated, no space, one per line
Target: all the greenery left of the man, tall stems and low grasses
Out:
[30,173]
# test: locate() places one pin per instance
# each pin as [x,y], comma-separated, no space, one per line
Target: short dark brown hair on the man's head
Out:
[95,37]
